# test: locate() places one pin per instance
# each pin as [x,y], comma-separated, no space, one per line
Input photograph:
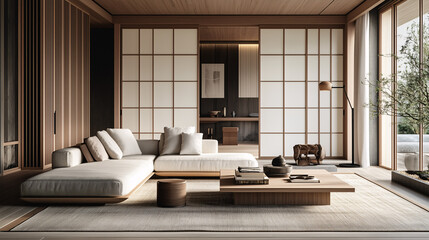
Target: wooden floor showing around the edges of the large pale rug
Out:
[9,195]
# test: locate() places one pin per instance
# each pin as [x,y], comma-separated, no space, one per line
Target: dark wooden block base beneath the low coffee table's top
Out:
[282,198]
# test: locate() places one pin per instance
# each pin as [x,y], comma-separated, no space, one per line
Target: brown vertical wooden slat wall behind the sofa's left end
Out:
[56,79]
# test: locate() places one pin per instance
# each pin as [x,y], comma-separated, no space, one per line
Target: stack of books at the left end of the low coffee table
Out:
[250,175]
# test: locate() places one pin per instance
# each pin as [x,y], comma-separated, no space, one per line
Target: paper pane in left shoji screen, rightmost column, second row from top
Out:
[185,68]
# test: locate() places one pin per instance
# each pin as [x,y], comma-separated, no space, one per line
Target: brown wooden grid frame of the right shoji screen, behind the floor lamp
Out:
[306,108]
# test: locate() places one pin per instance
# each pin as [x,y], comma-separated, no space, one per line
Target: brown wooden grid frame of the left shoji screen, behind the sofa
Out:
[153,81]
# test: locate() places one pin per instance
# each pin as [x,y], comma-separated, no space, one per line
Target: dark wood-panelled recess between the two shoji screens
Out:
[241,75]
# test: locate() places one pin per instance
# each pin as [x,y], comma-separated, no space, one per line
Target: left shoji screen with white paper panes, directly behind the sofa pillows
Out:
[159,80]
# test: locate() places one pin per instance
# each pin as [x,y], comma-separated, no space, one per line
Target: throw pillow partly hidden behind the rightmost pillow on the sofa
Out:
[173,139]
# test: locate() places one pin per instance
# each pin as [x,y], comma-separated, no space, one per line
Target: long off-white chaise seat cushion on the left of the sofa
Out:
[110,178]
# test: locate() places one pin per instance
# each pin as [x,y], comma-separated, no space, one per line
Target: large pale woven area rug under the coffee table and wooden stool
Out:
[370,208]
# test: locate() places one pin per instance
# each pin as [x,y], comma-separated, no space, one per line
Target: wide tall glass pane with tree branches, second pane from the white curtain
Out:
[407,49]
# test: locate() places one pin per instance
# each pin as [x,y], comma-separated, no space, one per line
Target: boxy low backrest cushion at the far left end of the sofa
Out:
[66,157]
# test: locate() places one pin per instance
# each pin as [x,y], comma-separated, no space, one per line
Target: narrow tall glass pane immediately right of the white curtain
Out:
[385,60]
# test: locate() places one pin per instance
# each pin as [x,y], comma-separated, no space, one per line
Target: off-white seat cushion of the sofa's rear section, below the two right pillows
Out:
[204,162]
